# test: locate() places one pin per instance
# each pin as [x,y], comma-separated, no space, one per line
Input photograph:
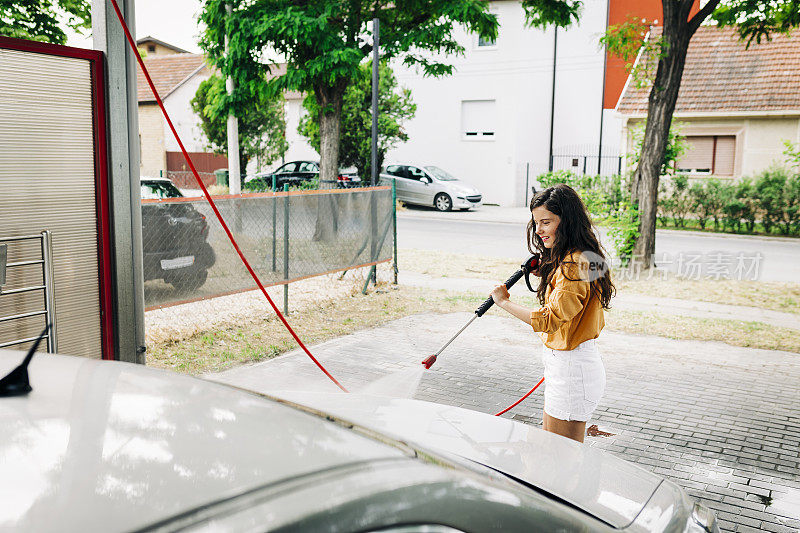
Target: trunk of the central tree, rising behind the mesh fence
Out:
[330,100]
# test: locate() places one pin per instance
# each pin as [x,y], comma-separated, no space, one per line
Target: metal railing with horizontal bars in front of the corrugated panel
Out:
[46,286]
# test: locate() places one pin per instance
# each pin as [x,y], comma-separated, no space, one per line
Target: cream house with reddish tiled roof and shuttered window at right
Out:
[736,105]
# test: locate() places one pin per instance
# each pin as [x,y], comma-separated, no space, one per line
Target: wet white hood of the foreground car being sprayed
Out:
[603,485]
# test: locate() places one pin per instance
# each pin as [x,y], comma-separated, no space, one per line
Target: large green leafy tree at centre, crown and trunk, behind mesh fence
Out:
[324,43]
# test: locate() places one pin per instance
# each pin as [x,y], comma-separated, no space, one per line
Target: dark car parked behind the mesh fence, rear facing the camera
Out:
[174,238]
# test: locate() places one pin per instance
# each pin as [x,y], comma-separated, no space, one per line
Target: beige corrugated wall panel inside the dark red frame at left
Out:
[47,182]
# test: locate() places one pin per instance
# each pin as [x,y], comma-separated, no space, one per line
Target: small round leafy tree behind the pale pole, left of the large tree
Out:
[261,125]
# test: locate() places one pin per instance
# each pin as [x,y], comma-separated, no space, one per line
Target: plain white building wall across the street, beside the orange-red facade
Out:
[517,74]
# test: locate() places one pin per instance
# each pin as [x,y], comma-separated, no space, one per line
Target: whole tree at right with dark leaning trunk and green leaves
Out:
[755,20]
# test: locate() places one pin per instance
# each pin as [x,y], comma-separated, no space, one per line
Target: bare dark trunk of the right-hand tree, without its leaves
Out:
[663,96]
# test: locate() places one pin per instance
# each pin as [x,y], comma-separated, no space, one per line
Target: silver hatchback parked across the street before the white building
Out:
[431,186]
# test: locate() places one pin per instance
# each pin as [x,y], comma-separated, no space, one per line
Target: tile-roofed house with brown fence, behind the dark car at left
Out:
[176,77]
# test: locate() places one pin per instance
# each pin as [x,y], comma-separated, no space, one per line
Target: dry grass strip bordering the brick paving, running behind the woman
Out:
[264,338]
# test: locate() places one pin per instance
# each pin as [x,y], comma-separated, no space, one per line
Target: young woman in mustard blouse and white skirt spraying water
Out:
[574,288]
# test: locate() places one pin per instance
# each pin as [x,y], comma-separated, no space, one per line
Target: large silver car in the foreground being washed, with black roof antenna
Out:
[111,446]
